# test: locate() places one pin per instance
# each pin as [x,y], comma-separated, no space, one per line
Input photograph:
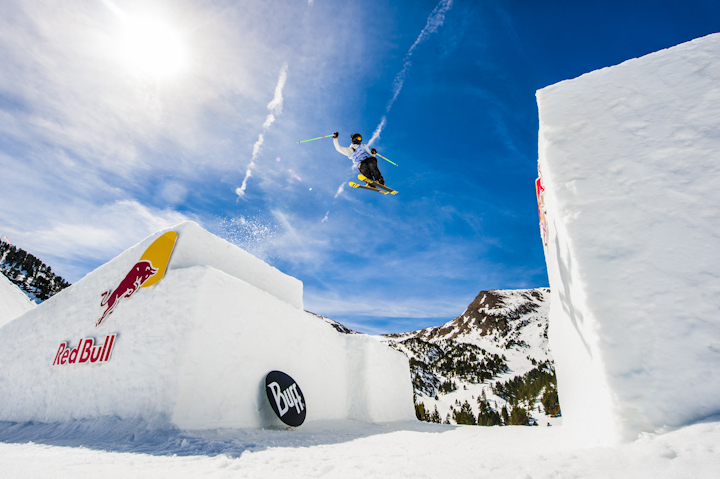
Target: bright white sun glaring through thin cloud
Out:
[153,48]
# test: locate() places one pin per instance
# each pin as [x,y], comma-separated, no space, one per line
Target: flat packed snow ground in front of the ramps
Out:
[349,450]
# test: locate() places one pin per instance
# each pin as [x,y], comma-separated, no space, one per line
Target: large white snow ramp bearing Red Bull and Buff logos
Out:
[194,348]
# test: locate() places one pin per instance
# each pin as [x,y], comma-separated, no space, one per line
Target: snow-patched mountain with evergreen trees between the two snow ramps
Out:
[490,365]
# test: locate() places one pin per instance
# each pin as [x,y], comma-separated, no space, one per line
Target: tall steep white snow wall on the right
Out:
[630,161]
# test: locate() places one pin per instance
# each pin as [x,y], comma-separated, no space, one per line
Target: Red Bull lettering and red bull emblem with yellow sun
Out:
[146,272]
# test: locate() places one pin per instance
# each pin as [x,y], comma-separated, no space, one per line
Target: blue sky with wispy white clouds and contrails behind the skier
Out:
[100,147]
